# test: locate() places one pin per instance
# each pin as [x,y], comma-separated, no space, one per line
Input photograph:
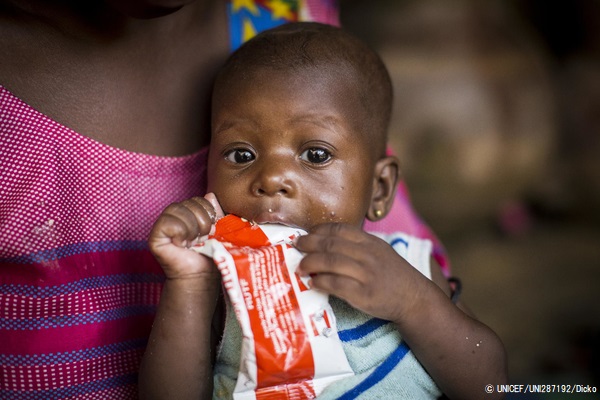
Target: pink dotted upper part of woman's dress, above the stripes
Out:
[57,180]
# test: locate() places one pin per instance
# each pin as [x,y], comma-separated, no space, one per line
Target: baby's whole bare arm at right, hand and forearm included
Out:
[461,354]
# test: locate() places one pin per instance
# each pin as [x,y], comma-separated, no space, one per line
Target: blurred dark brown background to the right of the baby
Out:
[497,124]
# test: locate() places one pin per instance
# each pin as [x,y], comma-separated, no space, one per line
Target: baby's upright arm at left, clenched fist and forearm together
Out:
[178,360]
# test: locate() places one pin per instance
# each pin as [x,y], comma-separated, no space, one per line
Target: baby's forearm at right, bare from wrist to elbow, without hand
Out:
[461,354]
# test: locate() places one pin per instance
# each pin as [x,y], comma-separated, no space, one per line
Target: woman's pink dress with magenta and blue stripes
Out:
[78,286]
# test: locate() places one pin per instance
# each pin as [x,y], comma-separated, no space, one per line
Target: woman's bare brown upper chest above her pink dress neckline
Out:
[140,85]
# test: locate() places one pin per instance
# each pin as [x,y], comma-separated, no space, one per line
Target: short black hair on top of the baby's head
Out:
[308,45]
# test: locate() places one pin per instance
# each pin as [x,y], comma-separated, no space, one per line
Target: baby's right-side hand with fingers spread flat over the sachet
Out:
[360,268]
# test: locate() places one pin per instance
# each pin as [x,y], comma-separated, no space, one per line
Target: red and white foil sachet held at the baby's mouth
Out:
[290,346]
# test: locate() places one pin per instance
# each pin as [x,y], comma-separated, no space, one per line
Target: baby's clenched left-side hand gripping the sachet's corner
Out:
[177,228]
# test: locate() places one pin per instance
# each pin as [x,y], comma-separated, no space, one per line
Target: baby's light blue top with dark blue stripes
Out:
[384,366]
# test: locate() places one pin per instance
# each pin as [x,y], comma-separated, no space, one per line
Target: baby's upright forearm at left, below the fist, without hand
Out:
[177,361]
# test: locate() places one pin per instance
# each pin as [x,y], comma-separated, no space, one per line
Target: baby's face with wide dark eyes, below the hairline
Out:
[284,151]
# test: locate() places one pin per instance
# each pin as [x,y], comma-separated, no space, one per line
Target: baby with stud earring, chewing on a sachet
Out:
[299,131]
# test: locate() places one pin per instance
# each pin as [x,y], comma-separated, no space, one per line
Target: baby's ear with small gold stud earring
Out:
[385,181]
